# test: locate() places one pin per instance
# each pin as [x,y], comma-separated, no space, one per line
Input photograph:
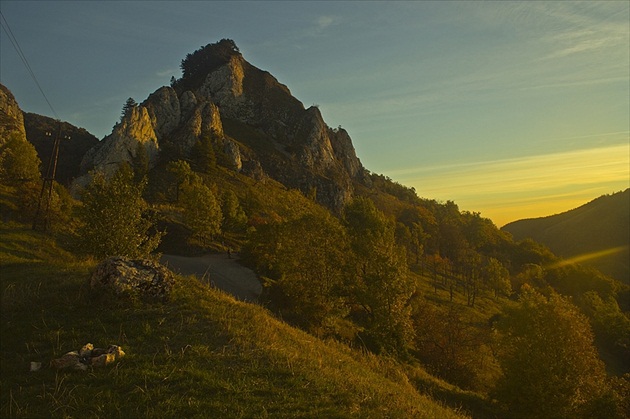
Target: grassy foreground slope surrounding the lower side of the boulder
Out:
[201,354]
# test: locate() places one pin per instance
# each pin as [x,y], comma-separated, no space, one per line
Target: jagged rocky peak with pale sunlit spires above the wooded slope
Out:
[251,117]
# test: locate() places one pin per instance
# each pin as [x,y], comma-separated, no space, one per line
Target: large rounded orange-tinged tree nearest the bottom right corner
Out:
[550,365]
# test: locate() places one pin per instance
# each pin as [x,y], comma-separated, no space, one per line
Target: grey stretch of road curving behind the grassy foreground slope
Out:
[222,272]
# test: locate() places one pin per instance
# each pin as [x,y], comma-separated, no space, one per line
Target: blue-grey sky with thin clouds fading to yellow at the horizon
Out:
[511,109]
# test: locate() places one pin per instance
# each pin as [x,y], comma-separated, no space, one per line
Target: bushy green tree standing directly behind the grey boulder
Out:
[114,217]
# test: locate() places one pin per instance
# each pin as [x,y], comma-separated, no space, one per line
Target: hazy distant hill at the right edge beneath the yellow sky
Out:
[601,224]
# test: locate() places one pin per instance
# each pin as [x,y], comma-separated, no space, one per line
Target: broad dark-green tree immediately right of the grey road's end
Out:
[304,261]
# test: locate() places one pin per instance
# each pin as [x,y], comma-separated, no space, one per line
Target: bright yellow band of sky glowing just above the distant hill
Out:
[527,187]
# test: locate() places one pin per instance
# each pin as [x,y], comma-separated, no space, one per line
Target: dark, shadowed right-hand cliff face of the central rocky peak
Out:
[296,146]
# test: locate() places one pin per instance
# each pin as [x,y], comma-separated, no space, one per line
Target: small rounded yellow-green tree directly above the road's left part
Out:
[202,212]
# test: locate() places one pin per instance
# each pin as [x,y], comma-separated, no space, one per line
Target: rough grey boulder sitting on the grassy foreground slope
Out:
[135,278]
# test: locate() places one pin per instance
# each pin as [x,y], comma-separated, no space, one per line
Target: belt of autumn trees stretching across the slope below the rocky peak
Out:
[357,277]
